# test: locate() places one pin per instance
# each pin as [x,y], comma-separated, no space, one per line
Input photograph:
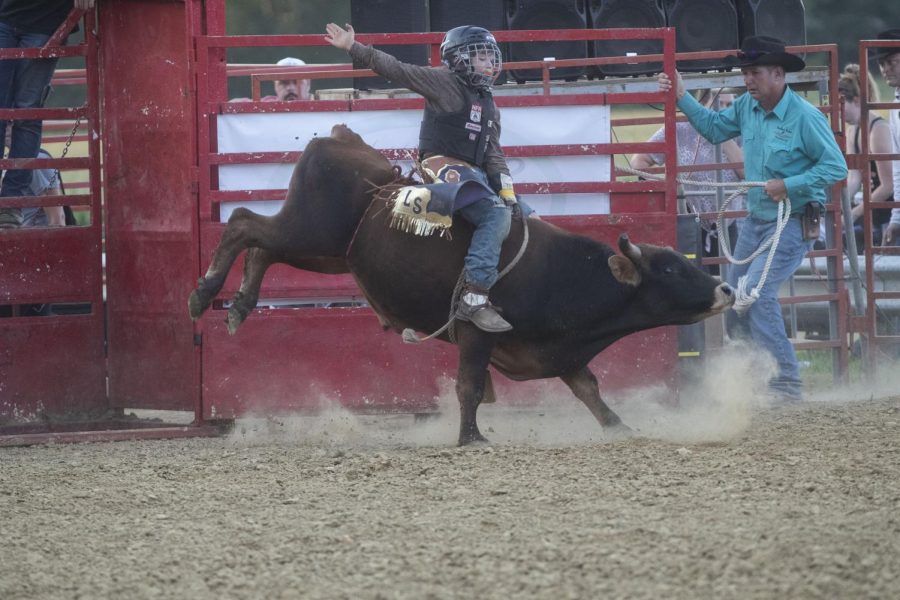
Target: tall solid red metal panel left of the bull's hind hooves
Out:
[149,154]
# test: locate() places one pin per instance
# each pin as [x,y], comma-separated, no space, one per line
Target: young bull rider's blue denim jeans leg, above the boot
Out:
[491,218]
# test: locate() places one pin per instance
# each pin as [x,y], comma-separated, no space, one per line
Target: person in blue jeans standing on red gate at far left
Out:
[25,83]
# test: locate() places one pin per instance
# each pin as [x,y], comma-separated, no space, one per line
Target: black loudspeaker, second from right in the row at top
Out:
[693,33]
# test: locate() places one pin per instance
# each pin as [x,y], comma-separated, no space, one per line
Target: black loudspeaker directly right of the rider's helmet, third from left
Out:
[546,14]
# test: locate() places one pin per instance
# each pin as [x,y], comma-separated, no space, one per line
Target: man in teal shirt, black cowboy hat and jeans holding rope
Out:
[789,145]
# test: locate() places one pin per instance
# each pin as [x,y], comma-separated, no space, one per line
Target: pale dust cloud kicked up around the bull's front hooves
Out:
[716,405]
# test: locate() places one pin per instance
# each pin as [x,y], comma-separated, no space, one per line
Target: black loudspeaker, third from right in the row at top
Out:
[617,14]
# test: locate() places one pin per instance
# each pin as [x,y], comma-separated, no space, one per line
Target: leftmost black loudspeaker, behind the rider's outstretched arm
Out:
[390,16]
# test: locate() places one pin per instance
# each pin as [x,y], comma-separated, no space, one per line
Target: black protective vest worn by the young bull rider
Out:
[464,134]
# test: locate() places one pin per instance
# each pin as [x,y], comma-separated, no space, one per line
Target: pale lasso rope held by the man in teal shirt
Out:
[743,298]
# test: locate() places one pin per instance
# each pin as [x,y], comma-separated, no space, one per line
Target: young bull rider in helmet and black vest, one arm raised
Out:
[459,141]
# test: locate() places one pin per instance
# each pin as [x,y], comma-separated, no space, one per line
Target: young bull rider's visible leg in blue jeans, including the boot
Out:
[491,218]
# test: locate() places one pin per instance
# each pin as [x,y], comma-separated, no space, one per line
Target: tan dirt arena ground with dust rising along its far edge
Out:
[723,497]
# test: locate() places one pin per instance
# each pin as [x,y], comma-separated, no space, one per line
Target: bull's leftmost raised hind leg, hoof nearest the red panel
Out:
[244,229]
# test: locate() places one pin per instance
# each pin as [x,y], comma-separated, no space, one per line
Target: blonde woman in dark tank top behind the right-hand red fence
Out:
[878,176]
